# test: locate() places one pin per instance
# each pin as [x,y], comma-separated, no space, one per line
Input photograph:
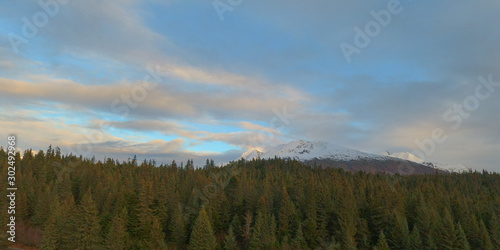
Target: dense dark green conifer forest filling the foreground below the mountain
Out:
[69,202]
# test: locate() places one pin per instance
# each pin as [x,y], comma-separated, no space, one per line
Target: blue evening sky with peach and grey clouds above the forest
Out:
[190,79]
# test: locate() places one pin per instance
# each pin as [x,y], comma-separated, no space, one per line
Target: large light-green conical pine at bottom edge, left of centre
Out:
[202,236]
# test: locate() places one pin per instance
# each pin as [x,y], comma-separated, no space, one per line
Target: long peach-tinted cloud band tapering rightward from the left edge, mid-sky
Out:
[161,102]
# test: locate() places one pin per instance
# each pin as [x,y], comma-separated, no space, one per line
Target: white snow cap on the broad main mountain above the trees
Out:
[307,150]
